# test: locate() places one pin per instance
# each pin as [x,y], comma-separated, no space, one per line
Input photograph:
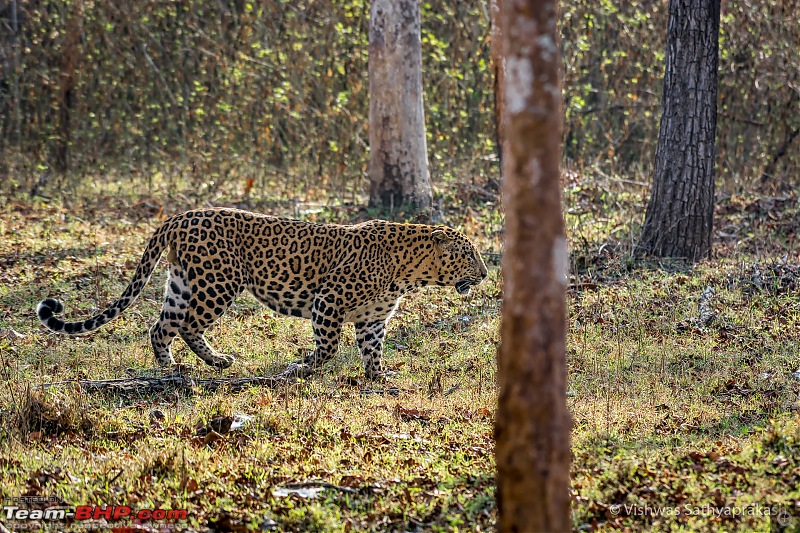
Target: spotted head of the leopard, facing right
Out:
[456,261]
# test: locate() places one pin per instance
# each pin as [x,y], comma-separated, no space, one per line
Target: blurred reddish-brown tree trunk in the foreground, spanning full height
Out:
[533,423]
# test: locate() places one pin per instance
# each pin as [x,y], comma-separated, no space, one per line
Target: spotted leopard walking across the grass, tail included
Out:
[331,274]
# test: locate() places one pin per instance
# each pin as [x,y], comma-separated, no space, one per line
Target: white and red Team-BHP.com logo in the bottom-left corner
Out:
[92,512]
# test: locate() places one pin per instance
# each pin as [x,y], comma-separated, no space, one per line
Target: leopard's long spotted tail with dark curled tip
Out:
[152,253]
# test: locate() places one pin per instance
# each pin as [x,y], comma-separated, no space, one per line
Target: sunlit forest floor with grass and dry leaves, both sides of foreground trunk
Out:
[681,384]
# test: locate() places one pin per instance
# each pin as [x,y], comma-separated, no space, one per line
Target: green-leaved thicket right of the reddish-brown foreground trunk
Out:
[613,56]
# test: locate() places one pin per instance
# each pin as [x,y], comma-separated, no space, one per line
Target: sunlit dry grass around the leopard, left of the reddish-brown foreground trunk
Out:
[419,459]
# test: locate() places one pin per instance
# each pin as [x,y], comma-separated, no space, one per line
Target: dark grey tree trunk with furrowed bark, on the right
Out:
[680,214]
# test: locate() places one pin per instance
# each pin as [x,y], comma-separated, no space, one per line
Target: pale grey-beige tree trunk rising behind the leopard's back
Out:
[398,163]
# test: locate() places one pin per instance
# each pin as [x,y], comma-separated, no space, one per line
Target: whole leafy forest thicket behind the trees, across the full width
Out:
[209,93]
